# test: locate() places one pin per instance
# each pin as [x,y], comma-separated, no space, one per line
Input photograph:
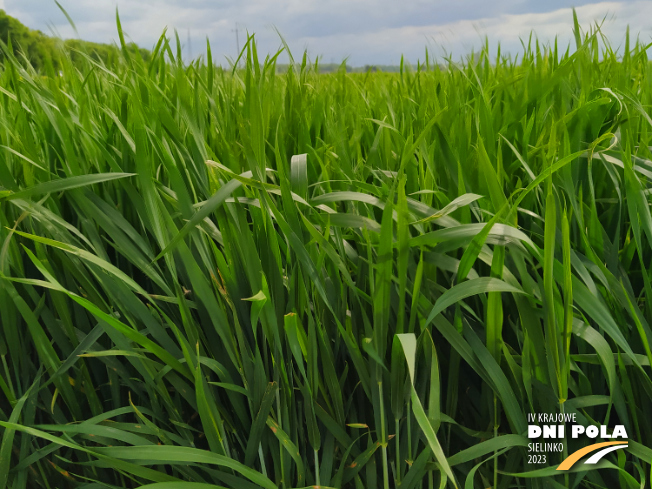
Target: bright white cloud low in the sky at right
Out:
[463,36]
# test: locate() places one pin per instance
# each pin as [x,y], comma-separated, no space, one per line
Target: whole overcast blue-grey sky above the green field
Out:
[363,31]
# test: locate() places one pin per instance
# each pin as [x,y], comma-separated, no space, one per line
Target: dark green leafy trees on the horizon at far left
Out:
[44,52]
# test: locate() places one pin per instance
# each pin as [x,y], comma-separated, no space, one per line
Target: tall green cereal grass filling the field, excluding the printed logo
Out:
[188,302]
